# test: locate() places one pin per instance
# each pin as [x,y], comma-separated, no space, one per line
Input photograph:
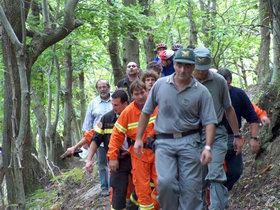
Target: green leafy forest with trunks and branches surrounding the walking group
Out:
[53,52]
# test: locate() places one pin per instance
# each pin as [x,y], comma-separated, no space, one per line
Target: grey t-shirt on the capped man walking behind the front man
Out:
[218,88]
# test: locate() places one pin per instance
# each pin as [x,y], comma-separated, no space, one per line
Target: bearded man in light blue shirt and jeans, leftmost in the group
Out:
[99,106]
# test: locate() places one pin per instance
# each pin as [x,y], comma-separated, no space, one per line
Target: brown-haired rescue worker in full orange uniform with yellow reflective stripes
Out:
[143,166]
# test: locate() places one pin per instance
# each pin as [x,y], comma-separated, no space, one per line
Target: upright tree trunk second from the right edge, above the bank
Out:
[262,68]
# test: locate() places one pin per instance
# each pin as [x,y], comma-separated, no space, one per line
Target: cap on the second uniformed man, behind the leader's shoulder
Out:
[202,58]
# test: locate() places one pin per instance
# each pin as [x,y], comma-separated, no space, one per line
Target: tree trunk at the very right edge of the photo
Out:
[276,40]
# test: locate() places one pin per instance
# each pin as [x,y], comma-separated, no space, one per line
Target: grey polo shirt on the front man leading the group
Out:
[180,111]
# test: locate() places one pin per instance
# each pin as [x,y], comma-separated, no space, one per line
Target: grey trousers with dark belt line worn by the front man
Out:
[179,173]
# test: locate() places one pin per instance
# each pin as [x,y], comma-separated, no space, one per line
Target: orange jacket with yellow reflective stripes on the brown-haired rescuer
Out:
[127,125]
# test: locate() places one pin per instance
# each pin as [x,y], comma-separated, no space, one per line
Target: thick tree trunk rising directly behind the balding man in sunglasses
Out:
[131,43]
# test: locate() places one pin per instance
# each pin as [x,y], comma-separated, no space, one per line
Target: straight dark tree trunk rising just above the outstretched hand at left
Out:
[68,97]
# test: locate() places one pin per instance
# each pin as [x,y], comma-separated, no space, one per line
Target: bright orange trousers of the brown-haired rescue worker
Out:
[143,171]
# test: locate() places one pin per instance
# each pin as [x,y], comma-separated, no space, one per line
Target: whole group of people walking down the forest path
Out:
[167,138]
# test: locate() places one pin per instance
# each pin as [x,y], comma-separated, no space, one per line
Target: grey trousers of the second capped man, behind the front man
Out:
[216,176]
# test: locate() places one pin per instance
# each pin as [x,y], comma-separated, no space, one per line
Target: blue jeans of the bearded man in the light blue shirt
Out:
[102,168]
